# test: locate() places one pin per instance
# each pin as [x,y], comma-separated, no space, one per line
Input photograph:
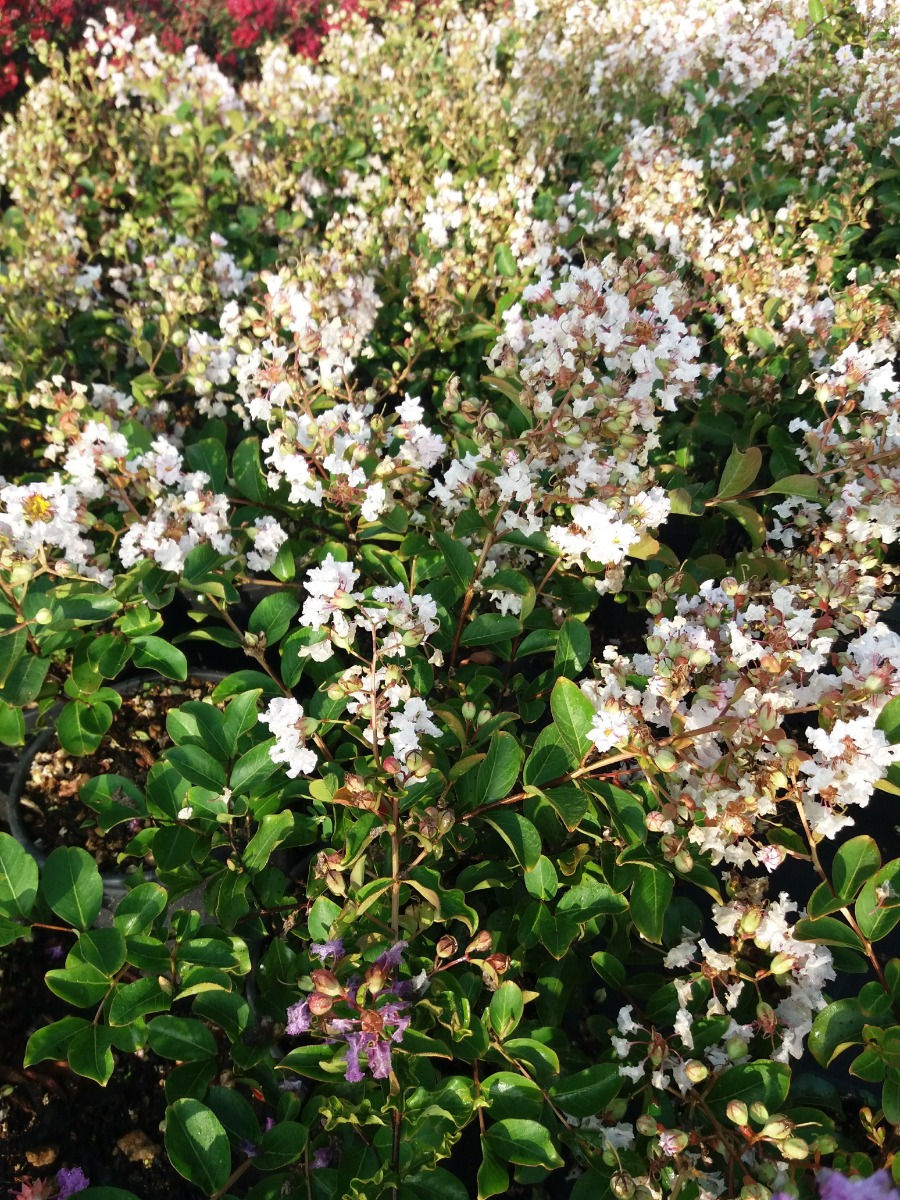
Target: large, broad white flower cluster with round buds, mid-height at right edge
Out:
[723,675]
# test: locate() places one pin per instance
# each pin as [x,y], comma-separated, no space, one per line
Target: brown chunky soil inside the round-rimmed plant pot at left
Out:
[50,806]
